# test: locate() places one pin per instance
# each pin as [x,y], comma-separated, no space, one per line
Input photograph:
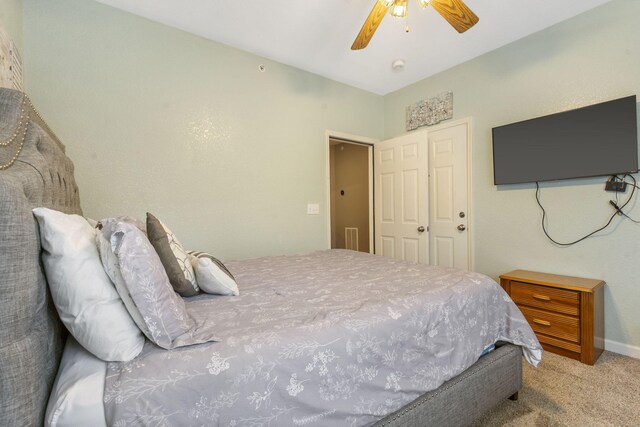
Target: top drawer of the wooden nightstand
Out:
[552,299]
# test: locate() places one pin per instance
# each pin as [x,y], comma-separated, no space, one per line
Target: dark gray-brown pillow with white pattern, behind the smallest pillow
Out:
[174,258]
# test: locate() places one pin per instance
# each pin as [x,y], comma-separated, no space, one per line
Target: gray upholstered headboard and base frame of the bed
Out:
[32,336]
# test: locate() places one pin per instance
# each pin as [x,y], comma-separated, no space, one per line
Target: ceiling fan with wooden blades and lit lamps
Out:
[454,11]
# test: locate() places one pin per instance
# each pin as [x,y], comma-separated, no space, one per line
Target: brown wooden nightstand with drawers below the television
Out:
[565,312]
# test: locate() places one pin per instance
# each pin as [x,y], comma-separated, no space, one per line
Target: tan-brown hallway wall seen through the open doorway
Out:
[350,173]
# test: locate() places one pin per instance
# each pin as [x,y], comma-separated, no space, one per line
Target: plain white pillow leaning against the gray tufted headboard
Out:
[86,300]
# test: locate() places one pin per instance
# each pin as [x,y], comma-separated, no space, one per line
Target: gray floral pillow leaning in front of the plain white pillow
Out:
[142,277]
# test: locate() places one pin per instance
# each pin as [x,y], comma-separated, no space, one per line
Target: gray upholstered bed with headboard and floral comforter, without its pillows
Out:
[274,357]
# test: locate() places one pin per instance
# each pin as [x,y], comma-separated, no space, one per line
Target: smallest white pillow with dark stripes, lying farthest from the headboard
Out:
[212,275]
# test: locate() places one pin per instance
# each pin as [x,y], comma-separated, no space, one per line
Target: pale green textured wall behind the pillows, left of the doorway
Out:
[156,119]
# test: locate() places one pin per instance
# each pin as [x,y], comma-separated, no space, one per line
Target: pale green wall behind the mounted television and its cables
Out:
[591,58]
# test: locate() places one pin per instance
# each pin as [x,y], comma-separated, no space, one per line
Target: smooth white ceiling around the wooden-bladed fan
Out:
[316,35]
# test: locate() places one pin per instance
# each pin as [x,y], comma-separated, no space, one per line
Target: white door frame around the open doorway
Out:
[352,139]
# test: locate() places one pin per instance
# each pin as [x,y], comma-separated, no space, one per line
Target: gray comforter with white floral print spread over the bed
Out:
[334,338]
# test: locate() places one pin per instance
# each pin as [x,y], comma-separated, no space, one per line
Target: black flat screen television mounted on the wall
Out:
[597,140]
